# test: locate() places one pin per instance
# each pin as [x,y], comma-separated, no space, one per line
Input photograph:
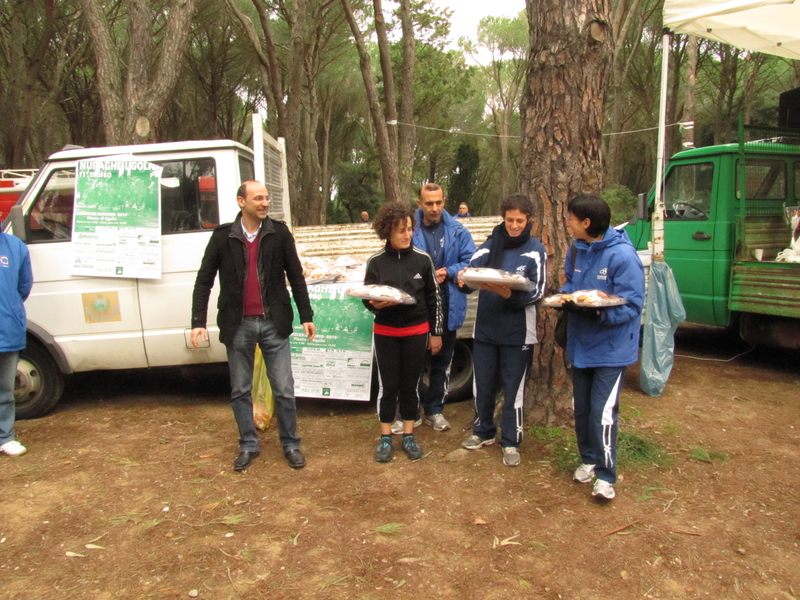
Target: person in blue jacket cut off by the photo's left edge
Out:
[16,281]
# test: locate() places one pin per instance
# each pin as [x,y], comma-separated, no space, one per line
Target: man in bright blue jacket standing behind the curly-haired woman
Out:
[450,246]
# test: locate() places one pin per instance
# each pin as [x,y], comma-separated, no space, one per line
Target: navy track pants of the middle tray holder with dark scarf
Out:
[508,365]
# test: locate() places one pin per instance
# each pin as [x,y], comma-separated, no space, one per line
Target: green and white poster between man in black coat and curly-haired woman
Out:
[338,362]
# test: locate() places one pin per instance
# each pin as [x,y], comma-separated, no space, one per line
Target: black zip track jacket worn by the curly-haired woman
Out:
[410,270]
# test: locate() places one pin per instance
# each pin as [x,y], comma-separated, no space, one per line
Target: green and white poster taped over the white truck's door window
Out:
[116,230]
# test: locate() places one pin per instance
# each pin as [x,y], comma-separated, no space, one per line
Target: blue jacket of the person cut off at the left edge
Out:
[16,281]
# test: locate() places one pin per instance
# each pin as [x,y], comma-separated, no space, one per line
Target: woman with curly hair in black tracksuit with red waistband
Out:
[402,332]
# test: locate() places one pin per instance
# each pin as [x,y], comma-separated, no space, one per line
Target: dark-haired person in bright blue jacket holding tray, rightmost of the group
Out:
[601,342]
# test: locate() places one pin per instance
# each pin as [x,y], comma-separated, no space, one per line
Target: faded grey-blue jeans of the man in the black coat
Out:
[278,358]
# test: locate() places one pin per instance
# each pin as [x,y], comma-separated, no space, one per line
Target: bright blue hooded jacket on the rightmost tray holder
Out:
[610,265]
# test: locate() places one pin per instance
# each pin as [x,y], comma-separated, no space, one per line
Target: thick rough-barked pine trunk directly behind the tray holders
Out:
[562,120]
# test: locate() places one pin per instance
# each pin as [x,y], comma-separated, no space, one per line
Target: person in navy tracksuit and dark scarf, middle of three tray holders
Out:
[505,327]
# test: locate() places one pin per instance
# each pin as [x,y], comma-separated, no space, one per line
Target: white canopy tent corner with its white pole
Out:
[768,26]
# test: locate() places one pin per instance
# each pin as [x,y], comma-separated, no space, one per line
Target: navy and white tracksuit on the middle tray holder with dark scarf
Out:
[504,334]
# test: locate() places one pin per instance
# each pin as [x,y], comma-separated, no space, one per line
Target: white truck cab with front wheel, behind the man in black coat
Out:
[89,323]
